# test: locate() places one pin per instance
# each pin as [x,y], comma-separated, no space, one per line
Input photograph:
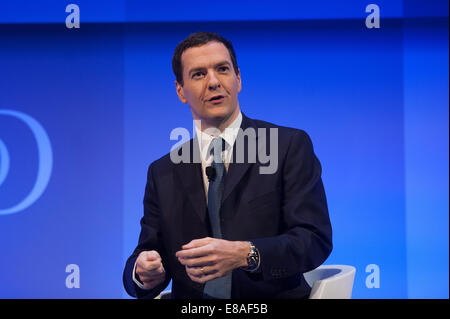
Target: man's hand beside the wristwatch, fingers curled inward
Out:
[209,258]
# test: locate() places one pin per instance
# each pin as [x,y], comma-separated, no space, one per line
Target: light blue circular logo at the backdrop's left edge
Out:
[45,157]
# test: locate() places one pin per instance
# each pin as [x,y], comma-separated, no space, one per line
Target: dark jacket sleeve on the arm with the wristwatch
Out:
[306,238]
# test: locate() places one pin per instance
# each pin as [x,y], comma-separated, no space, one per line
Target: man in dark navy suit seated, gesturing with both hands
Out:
[228,225]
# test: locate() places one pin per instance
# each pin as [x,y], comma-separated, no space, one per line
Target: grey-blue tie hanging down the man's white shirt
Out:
[220,287]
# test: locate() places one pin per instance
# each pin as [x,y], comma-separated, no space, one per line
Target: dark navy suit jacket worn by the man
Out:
[284,214]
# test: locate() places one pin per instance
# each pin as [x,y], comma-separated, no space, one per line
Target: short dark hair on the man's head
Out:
[195,40]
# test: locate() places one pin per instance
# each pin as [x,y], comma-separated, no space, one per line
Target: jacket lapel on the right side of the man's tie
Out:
[237,170]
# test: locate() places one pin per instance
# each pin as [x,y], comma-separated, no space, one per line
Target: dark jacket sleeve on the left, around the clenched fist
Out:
[149,239]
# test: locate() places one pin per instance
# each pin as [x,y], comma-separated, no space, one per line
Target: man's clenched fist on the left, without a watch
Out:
[149,269]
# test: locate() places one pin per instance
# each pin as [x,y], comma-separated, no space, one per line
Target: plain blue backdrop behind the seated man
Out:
[83,111]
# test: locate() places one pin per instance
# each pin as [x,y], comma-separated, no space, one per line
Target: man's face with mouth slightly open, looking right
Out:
[211,85]
